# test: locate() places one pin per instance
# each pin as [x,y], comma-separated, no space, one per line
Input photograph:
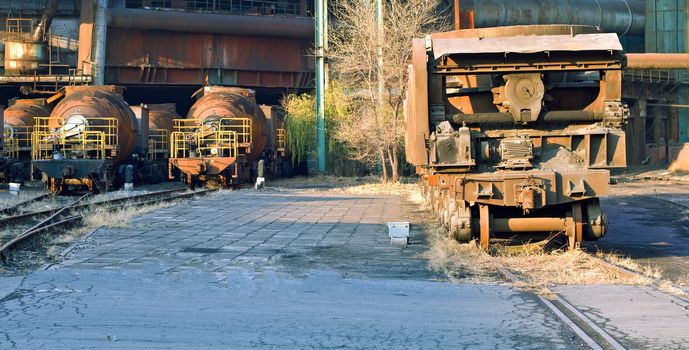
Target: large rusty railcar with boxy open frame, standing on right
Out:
[513,130]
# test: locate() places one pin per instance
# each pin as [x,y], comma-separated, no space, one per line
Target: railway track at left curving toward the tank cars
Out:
[74,212]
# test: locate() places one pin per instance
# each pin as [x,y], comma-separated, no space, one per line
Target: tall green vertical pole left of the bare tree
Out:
[320,84]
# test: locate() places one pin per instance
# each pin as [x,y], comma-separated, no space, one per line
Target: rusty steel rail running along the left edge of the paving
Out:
[46,224]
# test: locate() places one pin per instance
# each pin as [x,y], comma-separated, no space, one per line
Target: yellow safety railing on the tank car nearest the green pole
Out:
[220,138]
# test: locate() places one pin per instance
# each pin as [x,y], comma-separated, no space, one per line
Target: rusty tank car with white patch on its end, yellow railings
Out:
[92,138]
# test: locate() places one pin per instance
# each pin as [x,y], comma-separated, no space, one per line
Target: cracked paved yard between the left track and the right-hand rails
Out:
[267,270]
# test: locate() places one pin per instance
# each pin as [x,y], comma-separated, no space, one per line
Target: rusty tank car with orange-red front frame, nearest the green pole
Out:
[223,138]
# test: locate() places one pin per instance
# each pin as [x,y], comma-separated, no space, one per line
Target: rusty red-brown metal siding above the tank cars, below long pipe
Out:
[148,57]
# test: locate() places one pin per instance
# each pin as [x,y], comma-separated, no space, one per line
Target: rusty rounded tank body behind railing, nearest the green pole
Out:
[231,102]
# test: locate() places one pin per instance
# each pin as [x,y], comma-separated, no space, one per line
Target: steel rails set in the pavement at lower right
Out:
[571,322]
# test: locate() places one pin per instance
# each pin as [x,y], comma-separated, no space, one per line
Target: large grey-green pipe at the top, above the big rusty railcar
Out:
[624,17]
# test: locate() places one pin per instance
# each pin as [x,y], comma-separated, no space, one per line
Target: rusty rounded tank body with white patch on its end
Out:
[82,104]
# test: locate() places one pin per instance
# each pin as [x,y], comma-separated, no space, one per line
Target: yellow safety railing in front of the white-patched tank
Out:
[97,140]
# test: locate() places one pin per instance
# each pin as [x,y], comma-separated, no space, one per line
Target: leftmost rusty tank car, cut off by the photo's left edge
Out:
[18,126]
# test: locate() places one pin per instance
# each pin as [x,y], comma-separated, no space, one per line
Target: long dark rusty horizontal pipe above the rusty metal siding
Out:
[211,23]
